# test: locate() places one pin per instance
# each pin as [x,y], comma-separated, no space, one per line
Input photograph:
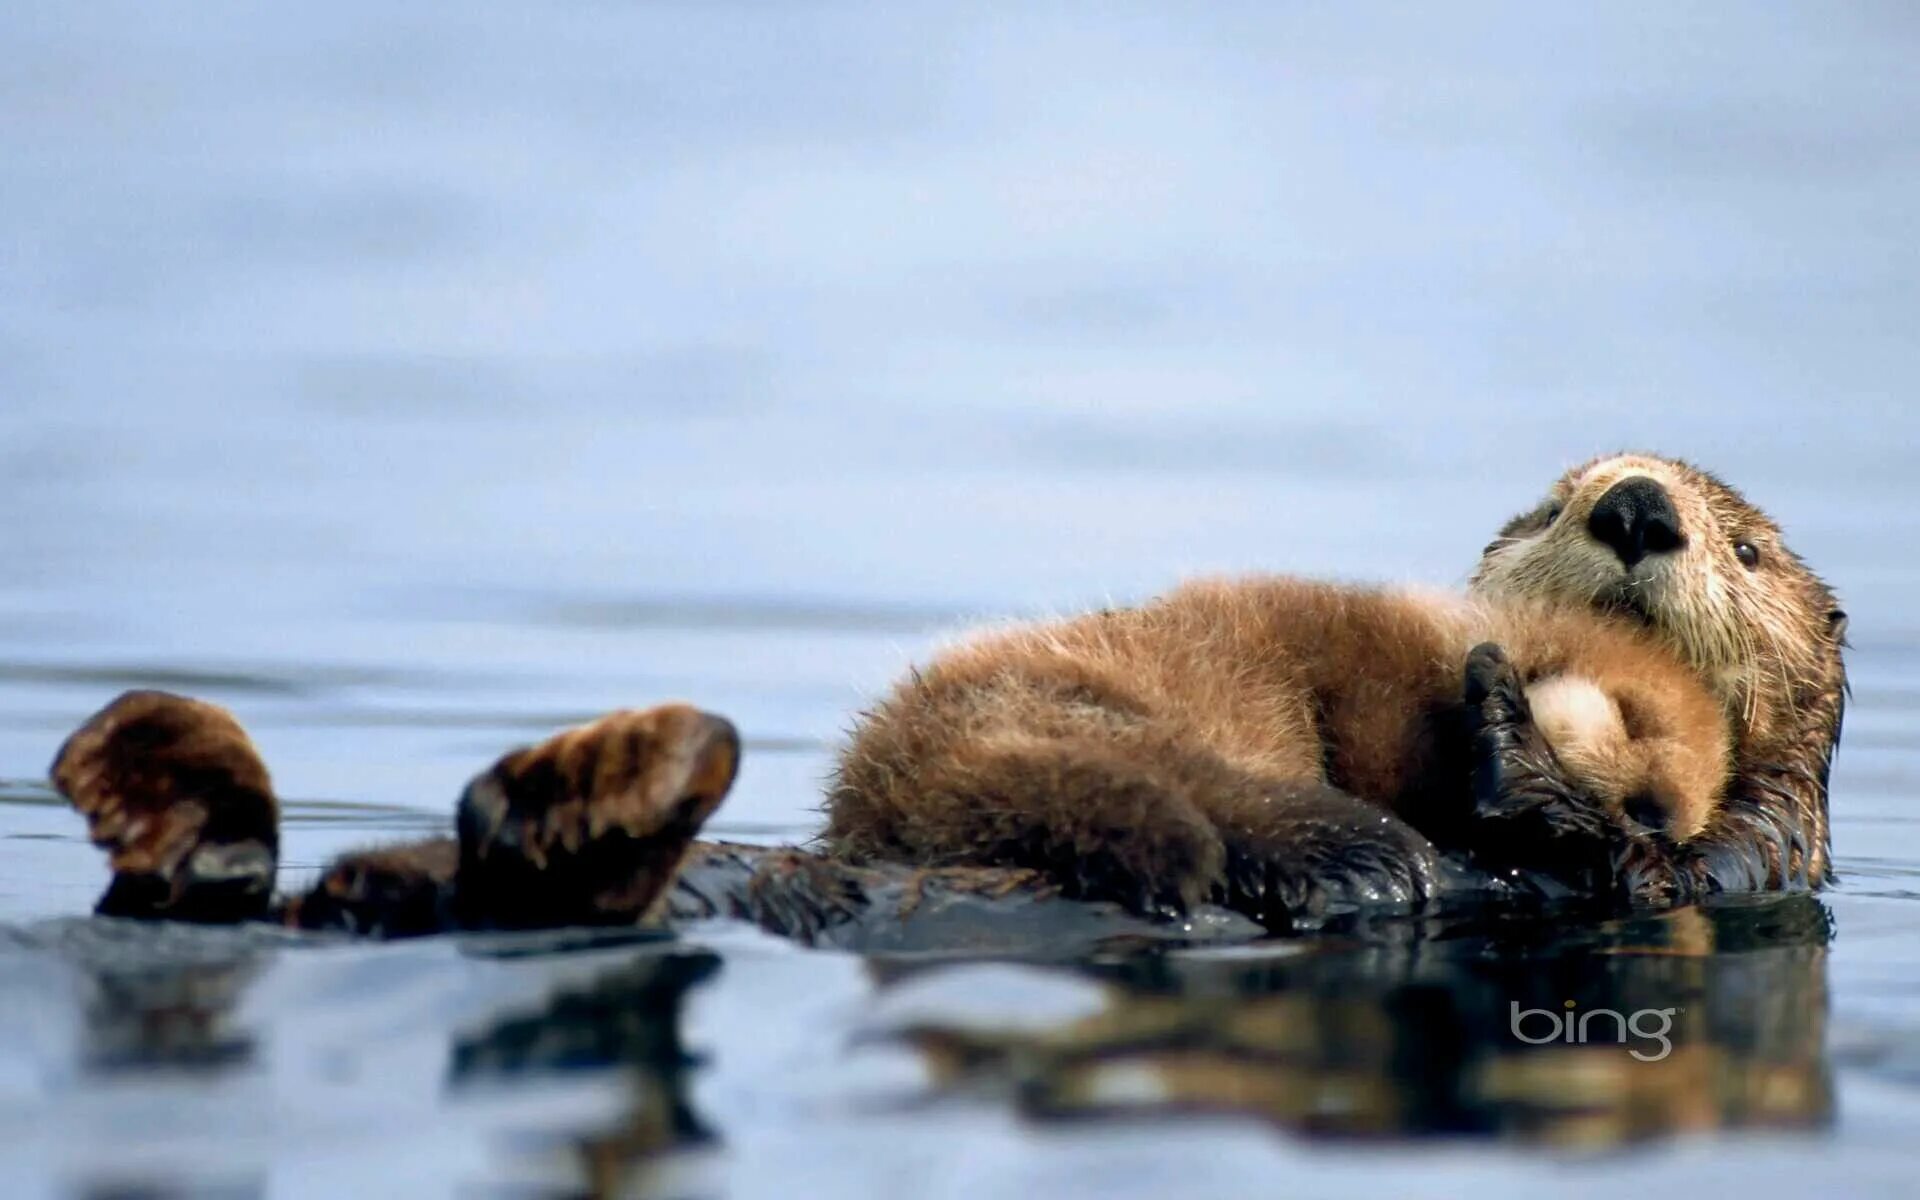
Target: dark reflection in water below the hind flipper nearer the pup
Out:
[627,1019]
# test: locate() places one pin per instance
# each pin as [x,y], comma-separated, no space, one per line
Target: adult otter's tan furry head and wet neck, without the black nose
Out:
[1767,638]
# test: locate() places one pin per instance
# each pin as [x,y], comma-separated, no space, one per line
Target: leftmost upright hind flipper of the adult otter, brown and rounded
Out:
[178,796]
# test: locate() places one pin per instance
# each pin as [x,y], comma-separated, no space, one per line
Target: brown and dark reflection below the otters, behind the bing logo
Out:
[1691,1020]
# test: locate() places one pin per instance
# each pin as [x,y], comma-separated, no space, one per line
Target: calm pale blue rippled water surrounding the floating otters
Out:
[420,381]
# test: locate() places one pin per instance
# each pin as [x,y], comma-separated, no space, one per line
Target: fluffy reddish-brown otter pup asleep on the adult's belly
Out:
[1151,754]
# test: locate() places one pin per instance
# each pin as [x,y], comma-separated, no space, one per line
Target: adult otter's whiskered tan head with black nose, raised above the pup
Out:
[1687,556]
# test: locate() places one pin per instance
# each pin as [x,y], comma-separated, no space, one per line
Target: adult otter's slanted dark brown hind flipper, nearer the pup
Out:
[590,827]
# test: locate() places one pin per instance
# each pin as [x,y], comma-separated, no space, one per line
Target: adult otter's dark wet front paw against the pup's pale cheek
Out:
[1527,811]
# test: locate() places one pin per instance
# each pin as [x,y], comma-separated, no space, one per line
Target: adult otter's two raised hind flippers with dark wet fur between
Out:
[588,827]
